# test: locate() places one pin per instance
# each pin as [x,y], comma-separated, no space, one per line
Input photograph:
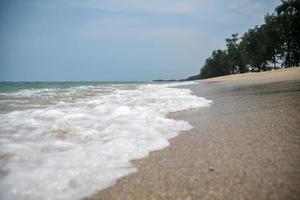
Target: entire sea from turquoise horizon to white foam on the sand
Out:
[68,140]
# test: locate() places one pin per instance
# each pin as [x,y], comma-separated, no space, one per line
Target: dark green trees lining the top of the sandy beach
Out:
[274,44]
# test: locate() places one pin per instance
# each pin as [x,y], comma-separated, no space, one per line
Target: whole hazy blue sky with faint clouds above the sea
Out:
[117,40]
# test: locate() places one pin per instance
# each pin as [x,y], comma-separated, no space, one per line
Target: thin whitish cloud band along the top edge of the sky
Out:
[217,9]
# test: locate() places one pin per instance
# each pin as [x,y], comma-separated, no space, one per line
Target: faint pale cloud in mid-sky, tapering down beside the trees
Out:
[187,47]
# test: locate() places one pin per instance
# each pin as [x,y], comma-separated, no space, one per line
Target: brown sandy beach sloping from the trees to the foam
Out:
[246,145]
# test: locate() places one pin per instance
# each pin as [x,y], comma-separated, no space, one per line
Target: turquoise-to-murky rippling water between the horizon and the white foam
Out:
[16,96]
